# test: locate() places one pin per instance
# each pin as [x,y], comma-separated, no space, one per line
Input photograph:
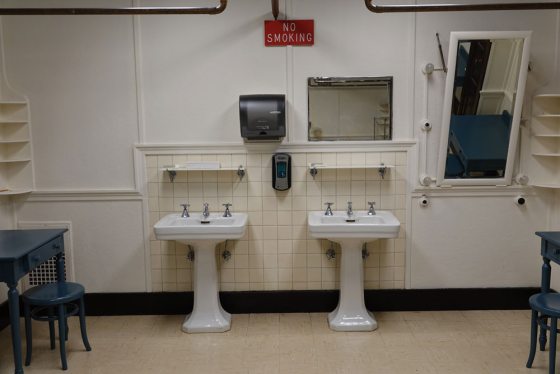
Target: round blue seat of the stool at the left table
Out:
[53,293]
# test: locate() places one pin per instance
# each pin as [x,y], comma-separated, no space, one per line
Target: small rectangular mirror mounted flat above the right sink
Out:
[350,108]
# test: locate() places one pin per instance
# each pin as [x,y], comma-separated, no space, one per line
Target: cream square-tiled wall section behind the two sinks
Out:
[277,253]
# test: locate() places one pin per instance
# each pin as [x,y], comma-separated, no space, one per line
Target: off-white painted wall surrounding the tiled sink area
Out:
[98,85]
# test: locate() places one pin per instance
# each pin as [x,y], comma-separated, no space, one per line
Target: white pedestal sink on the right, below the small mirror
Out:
[351,313]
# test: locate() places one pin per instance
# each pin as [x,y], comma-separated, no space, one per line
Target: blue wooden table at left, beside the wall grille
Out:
[21,251]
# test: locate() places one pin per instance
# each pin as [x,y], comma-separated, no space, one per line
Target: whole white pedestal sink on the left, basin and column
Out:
[203,234]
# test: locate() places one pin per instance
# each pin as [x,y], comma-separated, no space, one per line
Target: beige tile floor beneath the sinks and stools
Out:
[406,342]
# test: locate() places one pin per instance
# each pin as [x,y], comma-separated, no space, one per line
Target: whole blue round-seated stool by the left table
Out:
[50,302]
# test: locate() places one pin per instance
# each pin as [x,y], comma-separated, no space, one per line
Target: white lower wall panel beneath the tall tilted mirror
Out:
[476,242]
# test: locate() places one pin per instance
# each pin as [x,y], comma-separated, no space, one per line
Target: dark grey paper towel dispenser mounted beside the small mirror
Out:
[262,117]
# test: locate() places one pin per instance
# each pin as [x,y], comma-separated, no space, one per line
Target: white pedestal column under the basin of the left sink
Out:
[208,314]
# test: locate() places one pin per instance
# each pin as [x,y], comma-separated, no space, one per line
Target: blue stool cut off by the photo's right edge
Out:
[544,306]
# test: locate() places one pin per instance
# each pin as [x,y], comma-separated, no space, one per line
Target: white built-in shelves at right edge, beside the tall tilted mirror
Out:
[545,141]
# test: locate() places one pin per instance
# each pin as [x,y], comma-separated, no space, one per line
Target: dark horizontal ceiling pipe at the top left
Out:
[112,11]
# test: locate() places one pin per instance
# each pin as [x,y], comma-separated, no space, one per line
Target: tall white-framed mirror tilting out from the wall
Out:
[482,107]
